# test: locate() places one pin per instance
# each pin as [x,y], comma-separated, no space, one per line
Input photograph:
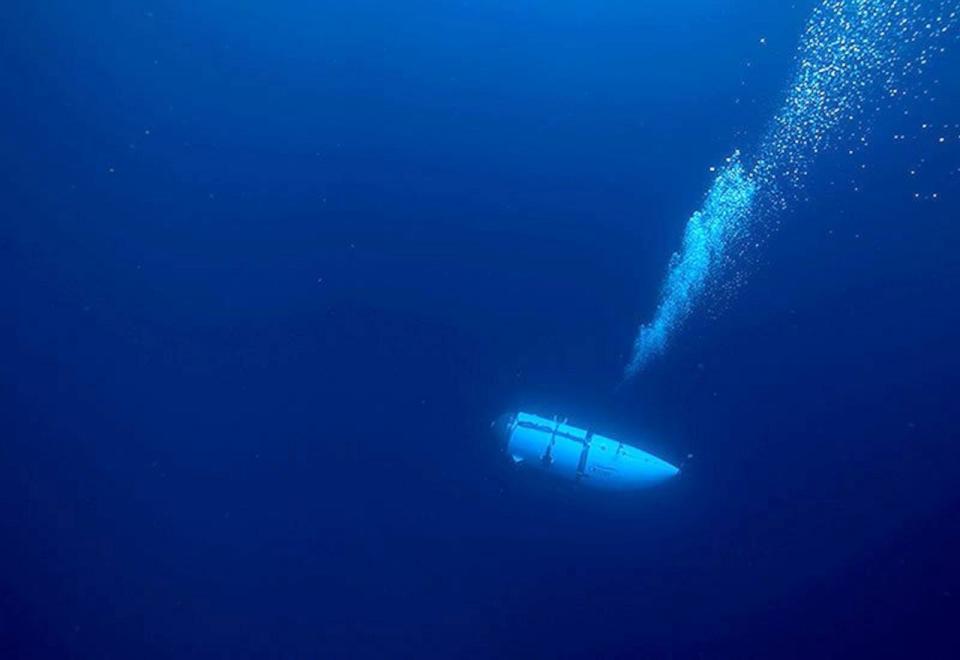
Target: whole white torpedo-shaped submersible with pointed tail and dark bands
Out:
[580,455]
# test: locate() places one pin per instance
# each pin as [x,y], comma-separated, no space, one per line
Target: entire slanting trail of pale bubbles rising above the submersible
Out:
[854,56]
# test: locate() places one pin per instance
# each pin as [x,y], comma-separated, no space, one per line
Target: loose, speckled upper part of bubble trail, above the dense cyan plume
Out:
[855,56]
